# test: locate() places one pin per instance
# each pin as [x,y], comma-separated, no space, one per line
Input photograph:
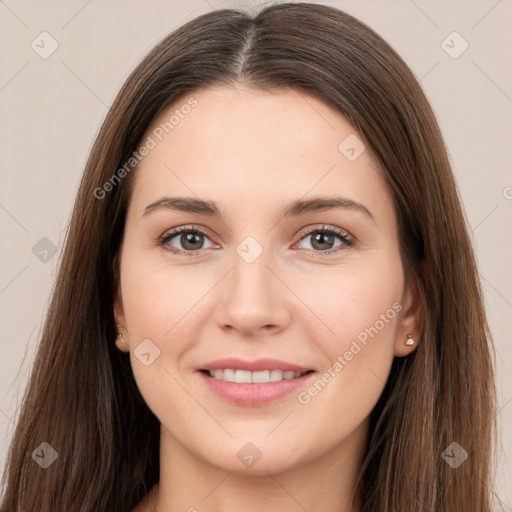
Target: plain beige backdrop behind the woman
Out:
[52,109]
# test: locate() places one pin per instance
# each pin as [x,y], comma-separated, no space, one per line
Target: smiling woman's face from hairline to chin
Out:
[256,276]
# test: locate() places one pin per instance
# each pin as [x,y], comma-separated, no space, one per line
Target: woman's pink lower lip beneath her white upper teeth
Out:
[254,394]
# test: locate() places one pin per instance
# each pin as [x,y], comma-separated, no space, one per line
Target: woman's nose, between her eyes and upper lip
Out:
[254,300]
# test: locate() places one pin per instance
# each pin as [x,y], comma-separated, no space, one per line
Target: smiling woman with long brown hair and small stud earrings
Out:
[329,353]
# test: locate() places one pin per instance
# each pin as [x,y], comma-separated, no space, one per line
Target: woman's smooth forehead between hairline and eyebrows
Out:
[248,146]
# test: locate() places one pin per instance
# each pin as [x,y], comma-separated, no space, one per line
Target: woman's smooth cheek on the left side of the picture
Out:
[162,304]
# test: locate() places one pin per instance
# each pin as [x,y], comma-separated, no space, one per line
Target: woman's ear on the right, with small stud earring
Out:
[411,317]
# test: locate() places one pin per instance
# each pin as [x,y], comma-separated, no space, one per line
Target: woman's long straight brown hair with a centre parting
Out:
[82,398]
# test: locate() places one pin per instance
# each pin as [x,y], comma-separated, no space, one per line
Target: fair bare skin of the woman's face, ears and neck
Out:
[254,151]
